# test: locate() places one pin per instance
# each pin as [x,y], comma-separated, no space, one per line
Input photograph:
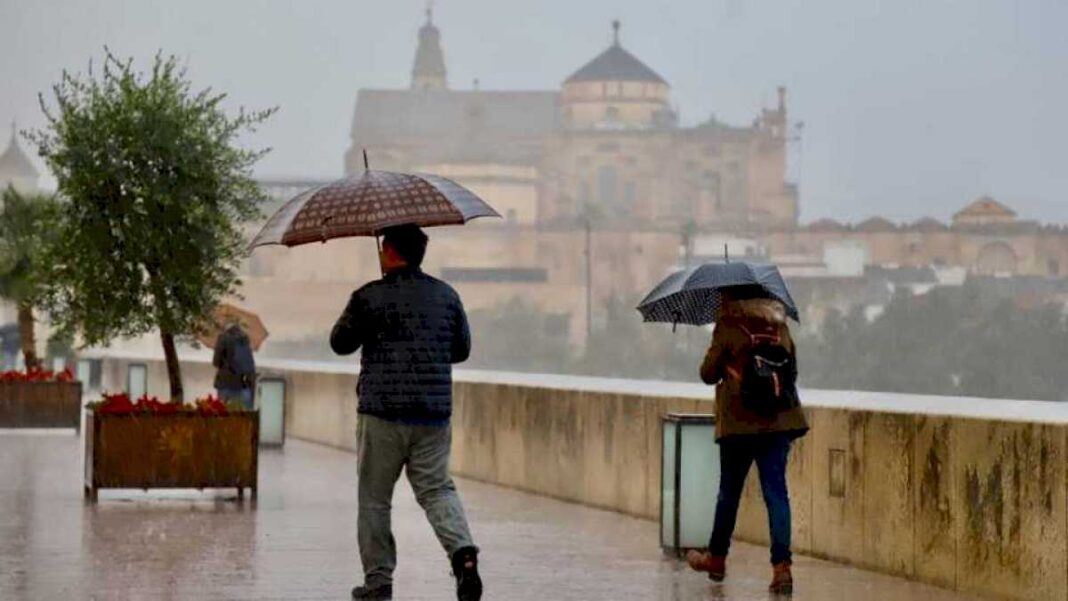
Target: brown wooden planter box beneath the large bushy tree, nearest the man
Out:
[180,451]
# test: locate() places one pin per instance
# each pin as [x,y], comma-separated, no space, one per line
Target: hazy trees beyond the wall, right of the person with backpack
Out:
[951,342]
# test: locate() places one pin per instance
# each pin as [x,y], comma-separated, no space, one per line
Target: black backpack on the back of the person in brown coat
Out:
[769,375]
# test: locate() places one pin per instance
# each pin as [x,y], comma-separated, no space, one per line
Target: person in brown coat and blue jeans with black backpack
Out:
[752,361]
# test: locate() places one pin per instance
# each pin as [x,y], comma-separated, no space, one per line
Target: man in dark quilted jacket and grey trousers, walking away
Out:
[412,328]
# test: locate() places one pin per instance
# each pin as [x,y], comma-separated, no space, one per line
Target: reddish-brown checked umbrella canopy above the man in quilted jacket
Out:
[367,204]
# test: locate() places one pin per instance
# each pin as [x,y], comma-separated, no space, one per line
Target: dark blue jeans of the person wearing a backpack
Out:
[737,454]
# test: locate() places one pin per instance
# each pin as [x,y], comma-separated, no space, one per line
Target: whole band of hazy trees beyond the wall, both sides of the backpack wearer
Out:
[961,341]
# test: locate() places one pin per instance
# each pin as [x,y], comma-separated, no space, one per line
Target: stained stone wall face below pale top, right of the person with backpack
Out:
[975,505]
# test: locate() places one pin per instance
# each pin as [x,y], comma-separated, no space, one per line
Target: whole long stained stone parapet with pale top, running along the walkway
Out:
[969,495]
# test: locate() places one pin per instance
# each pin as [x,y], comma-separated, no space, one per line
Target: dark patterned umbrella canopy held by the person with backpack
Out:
[693,296]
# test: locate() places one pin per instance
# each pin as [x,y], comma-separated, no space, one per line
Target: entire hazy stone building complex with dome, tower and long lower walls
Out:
[603,169]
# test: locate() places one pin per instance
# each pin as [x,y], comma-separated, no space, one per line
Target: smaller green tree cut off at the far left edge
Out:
[28,225]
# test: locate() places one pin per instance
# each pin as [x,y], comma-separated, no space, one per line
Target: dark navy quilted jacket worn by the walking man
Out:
[412,328]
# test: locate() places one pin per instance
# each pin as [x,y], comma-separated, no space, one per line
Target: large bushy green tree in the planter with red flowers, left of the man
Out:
[159,193]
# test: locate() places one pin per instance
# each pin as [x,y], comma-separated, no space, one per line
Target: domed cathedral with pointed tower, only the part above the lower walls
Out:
[608,141]
